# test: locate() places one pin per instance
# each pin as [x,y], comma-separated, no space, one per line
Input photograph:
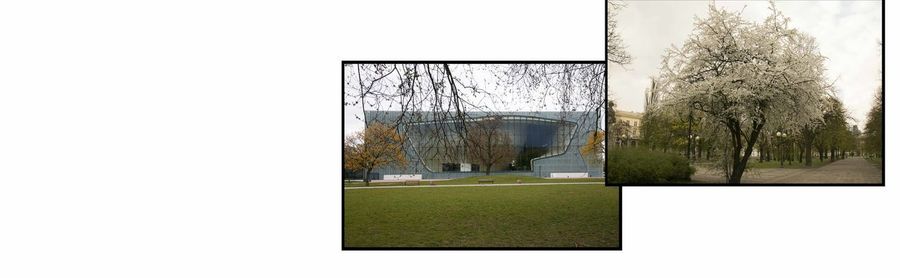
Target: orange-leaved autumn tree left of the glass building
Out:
[378,145]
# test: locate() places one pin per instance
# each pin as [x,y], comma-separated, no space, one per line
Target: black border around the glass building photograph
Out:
[344,246]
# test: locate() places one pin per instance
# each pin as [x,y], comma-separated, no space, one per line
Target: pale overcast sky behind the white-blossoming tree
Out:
[847,32]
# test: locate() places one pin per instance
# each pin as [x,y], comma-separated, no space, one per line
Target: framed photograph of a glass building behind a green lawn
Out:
[476,155]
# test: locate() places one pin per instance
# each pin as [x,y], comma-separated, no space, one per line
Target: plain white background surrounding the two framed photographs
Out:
[201,139]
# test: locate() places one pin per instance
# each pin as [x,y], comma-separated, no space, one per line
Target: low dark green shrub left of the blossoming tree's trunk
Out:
[640,165]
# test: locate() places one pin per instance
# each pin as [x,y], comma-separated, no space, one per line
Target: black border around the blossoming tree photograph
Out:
[679,184]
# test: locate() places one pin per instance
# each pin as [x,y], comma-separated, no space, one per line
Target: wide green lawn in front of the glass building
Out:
[518,216]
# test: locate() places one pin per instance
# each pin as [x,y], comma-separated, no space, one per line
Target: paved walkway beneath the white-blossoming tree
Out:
[850,170]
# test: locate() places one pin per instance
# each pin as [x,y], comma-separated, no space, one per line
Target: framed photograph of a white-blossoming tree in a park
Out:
[745,92]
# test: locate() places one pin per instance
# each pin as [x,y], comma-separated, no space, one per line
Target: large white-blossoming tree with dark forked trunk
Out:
[744,76]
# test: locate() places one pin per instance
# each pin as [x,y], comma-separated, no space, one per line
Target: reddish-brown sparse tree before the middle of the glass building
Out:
[487,144]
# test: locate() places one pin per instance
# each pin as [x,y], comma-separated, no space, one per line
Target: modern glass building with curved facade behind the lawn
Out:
[545,144]
